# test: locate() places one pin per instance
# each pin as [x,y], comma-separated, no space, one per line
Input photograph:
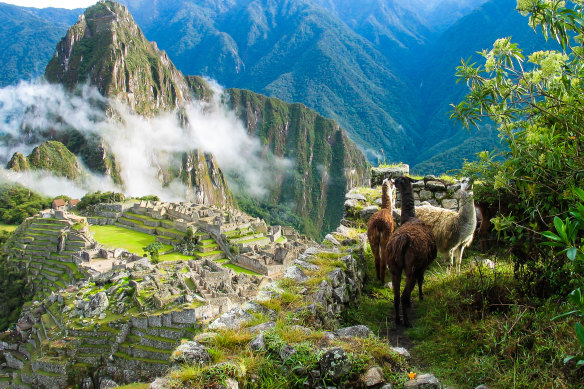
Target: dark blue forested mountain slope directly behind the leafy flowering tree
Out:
[447,144]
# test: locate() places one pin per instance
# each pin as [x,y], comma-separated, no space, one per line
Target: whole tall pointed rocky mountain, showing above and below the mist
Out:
[107,49]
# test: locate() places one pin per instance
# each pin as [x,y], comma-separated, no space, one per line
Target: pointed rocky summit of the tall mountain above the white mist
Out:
[107,49]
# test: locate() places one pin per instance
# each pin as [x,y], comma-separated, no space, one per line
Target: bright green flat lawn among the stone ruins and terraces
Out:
[119,237]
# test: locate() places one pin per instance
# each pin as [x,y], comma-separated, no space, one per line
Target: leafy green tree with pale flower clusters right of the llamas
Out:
[537,103]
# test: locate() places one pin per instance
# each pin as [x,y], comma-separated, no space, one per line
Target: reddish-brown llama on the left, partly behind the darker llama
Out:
[380,222]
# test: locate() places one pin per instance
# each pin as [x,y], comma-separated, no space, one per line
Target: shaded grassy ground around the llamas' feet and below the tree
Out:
[478,328]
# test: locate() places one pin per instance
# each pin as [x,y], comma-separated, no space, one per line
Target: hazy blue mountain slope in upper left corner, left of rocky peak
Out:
[29,36]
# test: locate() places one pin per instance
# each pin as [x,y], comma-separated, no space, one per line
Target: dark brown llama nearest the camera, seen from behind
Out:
[411,249]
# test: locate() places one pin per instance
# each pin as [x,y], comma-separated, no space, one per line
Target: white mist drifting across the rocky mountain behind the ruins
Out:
[33,111]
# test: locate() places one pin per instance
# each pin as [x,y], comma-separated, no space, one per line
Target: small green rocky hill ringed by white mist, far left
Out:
[50,156]
